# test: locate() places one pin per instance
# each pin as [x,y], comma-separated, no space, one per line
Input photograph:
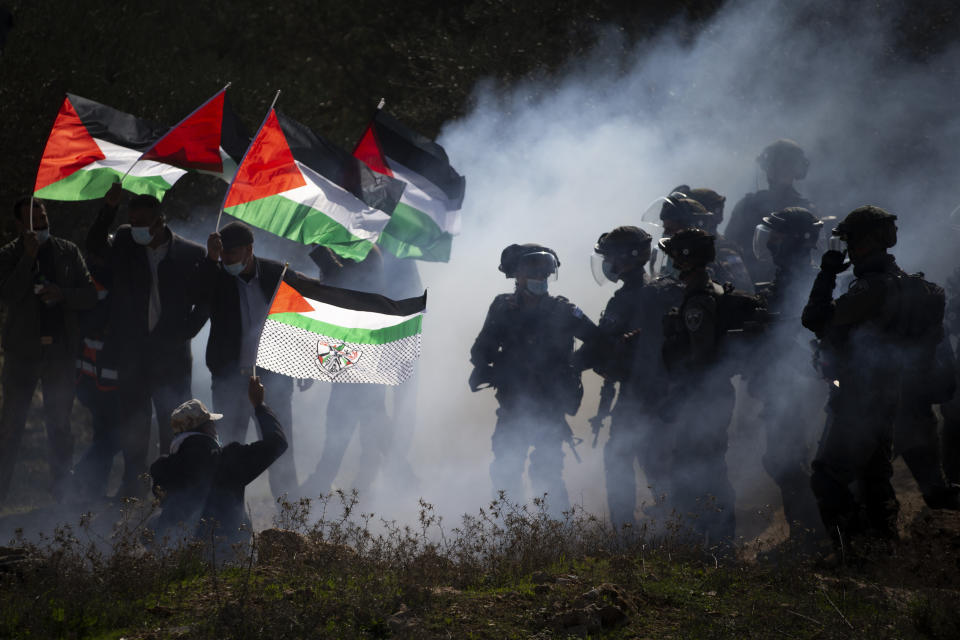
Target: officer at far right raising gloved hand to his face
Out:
[887,324]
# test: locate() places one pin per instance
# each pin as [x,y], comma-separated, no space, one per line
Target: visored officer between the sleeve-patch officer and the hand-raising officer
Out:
[782,377]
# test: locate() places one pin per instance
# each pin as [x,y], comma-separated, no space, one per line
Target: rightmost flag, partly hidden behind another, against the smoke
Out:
[427,218]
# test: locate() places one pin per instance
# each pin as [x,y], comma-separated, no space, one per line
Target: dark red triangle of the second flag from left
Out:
[195,142]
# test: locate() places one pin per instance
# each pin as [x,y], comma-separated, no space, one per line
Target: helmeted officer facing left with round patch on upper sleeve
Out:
[692,351]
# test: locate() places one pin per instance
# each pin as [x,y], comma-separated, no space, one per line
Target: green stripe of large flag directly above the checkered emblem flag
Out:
[298,222]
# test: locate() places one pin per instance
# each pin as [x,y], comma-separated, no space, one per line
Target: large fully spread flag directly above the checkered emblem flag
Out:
[297,185]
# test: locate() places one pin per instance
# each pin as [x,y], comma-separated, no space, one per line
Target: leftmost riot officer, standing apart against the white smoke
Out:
[525,351]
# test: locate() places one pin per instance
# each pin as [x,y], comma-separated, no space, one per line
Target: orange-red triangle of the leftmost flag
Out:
[69,148]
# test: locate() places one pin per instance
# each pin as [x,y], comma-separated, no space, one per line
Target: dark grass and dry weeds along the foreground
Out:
[505,572]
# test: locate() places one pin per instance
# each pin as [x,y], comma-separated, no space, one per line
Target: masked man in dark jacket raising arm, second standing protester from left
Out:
[150,272]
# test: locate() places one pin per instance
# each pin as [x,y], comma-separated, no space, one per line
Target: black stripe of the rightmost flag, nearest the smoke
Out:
[419,154]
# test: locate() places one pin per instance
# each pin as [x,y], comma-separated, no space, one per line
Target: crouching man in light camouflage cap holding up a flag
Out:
[199,477]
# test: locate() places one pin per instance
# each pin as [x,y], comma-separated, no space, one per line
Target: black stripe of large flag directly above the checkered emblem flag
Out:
[336,165]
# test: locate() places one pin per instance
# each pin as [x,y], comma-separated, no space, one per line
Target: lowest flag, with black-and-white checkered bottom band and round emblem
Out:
[325,333]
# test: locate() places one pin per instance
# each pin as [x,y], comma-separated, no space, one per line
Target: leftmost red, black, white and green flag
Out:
[91,146]
